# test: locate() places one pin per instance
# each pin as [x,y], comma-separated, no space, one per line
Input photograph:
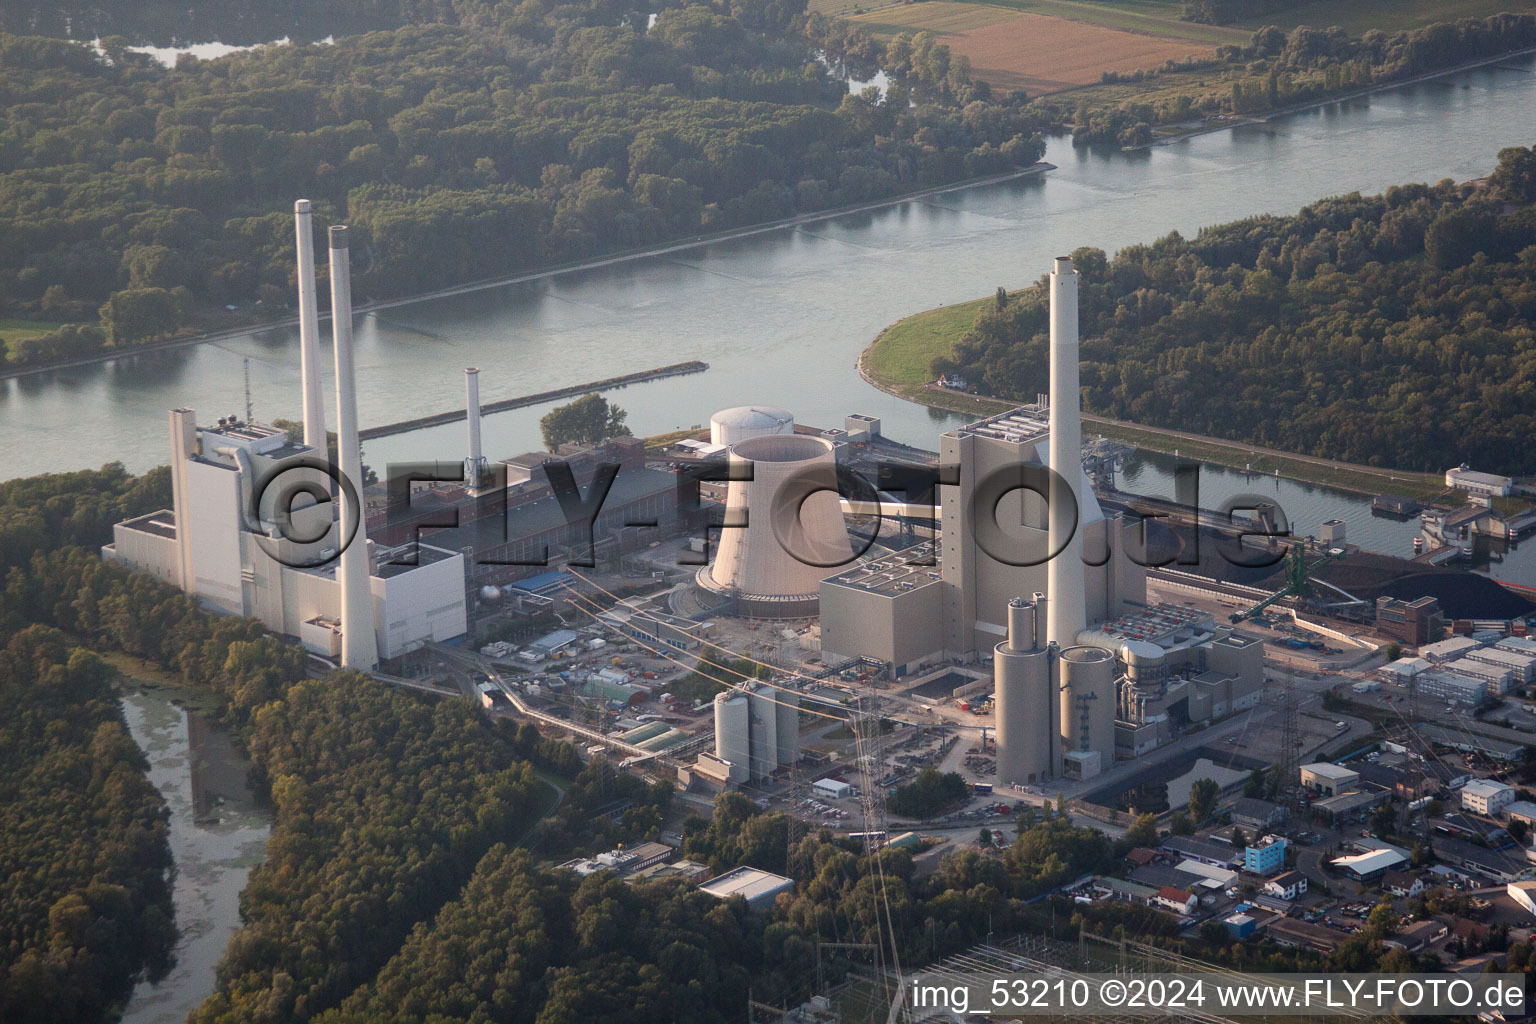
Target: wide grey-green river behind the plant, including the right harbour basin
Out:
[783,317]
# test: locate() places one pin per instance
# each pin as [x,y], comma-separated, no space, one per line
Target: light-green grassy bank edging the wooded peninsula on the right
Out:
[898,362]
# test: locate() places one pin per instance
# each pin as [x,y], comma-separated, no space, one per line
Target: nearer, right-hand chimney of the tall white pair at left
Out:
[359,644]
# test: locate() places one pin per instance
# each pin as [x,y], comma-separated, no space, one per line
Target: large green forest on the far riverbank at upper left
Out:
[137,202]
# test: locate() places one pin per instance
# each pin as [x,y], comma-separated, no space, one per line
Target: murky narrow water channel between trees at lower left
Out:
[217,836]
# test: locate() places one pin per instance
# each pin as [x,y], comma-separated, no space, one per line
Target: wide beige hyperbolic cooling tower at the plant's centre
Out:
[795,533]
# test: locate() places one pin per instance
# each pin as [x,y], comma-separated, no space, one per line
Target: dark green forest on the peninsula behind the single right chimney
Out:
[1389,331]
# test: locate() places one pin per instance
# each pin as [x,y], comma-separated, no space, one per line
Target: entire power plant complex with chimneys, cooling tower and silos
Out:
[1084,672]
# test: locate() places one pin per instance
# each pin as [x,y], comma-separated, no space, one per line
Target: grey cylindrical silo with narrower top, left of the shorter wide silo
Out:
[1027,722]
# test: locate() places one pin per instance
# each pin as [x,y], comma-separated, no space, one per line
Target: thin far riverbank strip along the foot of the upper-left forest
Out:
[7,374]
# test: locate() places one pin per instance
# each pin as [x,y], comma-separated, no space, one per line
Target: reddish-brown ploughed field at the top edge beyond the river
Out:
[1036,53]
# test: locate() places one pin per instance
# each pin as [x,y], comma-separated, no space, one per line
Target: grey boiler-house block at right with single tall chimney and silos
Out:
[1085,670]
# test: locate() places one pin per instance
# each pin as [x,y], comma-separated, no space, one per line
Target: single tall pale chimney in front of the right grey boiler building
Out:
[1065,580]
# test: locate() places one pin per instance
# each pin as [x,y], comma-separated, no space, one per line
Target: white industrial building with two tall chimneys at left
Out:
[248,547]
